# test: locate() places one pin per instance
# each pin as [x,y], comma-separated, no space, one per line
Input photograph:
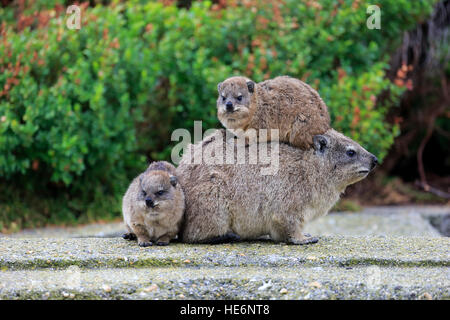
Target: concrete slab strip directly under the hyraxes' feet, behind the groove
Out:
[332,251]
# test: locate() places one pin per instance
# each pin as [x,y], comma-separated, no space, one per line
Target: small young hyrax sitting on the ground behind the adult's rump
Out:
[153,206]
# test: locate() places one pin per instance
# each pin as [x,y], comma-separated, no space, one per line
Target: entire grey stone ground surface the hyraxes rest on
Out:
[381,253]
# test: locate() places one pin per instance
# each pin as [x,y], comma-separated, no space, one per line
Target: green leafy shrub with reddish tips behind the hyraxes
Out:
[81,109]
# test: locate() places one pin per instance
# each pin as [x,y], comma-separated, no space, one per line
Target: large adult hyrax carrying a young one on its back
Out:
[235,201]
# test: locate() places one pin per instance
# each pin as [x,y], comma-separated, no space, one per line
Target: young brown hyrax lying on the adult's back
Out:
[283,103]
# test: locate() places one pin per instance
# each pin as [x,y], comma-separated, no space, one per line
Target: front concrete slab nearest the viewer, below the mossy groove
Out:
[299,282]
